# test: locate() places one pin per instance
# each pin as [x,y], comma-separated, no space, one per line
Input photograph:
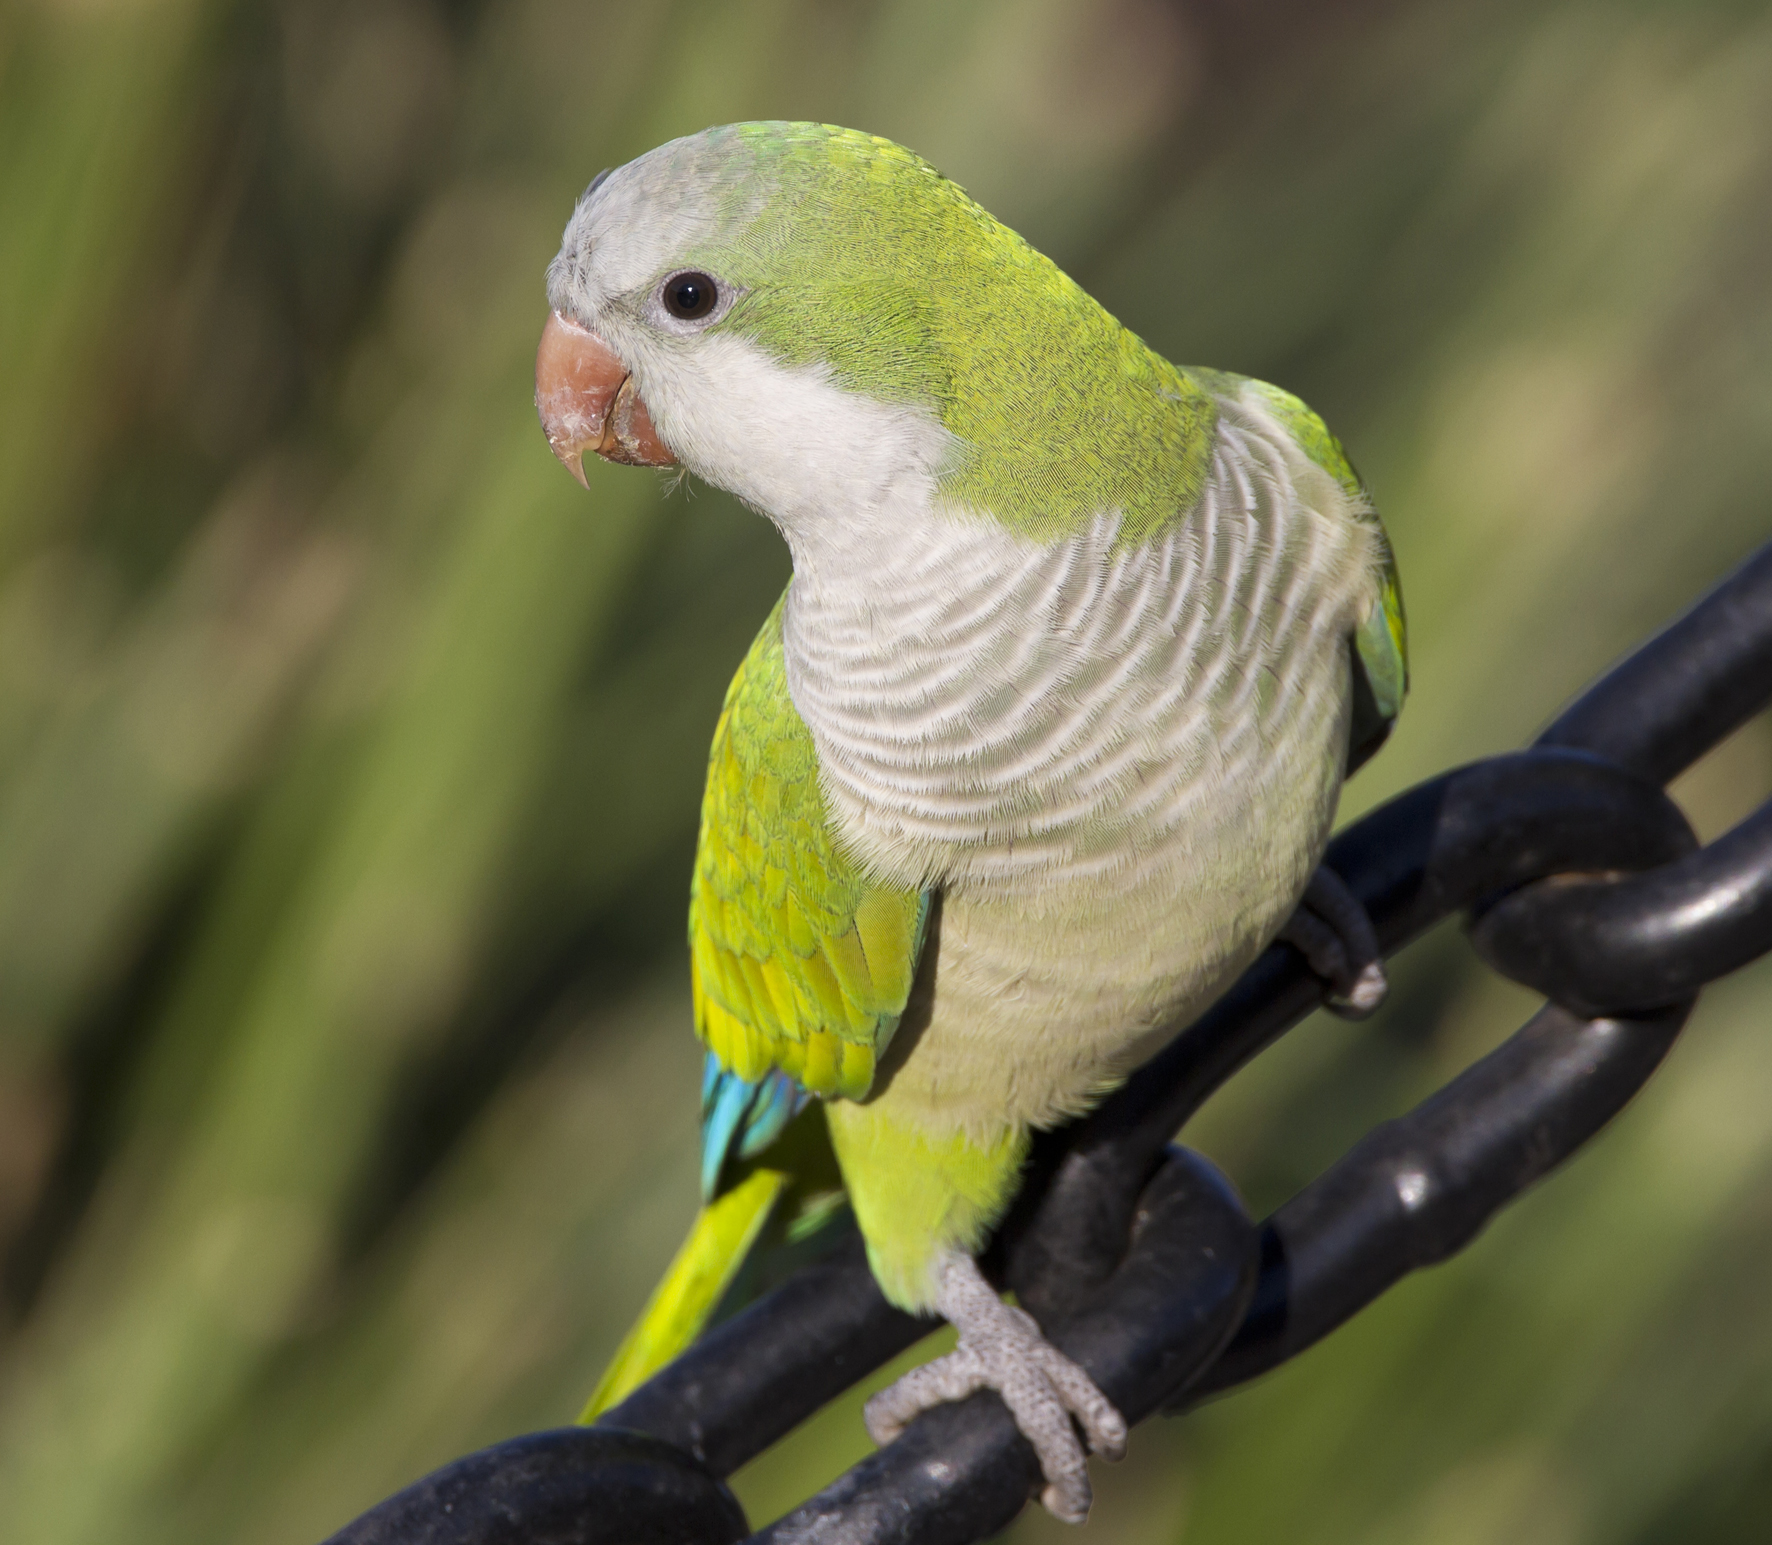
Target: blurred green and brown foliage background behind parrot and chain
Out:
[350,754]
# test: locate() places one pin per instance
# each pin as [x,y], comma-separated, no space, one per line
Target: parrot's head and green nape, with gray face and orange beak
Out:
[825,325]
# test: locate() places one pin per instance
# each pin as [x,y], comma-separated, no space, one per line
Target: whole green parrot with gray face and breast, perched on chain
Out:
[1039,749]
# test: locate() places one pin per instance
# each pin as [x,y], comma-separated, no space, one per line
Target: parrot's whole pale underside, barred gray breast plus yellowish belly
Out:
[1119,765]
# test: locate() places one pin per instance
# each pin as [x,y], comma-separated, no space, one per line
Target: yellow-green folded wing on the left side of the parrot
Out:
[800,963]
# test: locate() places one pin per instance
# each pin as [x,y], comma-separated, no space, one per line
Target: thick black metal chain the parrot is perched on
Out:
[1580,878]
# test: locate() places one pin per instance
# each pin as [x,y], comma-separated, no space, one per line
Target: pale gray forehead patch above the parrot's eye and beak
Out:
[657,214]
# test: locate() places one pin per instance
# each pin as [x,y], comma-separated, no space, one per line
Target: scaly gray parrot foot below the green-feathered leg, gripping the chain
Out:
[1002,1349]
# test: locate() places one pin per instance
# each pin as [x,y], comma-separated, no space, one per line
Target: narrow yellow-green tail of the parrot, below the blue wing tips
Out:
[692,1289]
